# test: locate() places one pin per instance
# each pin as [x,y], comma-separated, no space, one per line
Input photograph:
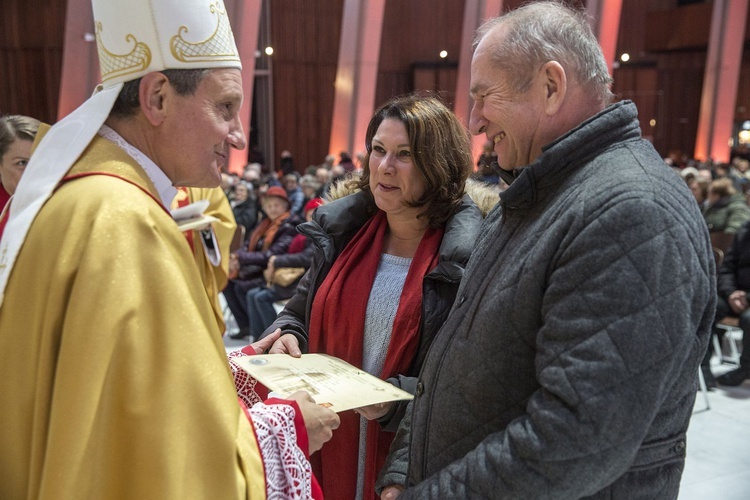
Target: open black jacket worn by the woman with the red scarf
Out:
[333,226]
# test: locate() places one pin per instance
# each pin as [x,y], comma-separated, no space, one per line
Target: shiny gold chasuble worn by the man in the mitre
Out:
[114,381]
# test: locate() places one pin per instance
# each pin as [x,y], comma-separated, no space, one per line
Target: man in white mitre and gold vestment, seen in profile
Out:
[114,381]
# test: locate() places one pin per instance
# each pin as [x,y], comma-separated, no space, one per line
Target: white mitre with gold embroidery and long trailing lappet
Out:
[134,37]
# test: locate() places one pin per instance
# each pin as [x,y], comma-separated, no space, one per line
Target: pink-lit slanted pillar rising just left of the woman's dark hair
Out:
[357,74]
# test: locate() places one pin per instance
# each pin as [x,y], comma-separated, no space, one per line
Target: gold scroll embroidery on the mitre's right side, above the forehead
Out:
[218,47]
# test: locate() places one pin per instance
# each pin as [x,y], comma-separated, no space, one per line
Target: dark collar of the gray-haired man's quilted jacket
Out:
[615,124]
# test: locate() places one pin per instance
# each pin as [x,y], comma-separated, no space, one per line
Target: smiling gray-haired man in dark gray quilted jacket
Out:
[568,365]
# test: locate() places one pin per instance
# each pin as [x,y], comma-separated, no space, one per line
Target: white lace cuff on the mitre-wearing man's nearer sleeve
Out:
[288,472]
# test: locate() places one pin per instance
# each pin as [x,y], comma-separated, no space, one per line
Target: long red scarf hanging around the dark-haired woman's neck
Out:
[337,327]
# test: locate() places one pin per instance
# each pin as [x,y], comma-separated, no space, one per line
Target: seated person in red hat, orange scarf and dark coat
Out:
[272,236]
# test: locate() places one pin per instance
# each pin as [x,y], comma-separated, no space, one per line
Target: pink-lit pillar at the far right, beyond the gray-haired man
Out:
[719,96]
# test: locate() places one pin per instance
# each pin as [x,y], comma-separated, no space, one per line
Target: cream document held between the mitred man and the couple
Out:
[331,381]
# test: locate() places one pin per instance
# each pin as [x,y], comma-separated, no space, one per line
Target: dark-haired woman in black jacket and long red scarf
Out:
[387,265]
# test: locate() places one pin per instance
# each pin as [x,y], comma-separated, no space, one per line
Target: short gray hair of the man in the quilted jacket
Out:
[549,31]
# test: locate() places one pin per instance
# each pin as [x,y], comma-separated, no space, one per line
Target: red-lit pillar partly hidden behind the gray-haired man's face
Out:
[475,13]
